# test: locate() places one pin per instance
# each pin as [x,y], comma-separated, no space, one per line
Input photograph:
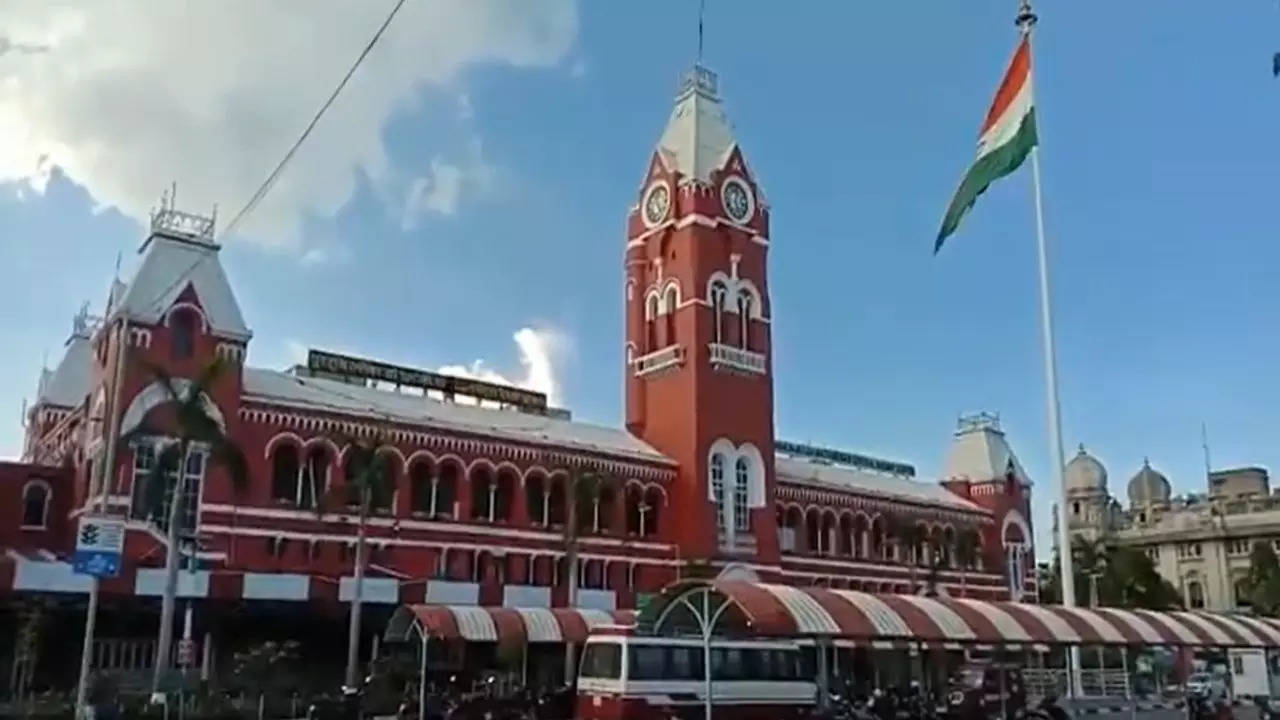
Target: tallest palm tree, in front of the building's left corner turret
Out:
[199,439]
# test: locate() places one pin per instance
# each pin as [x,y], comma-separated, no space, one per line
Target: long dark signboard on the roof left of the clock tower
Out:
[344,367]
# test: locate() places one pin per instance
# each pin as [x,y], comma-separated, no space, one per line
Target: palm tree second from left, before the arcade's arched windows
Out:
[371,485]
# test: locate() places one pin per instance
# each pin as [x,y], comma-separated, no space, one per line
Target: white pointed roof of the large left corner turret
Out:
[171,265]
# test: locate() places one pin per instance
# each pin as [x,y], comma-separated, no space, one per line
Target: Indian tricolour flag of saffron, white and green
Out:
[1008,136]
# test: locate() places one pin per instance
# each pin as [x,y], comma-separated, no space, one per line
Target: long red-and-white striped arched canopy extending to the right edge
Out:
[729,608]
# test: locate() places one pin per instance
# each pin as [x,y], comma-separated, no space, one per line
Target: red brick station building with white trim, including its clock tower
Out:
[697,477]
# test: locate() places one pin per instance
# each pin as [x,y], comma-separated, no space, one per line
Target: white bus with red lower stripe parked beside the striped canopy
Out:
[629,677]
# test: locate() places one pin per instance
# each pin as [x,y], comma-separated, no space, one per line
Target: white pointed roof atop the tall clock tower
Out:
[698,139]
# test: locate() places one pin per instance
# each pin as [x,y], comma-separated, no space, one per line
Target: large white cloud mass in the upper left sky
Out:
[131,95]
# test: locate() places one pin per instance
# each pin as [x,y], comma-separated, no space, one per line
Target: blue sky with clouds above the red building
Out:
[463,204]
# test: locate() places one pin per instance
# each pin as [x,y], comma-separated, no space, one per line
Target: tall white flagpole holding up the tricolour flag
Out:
[1026,21]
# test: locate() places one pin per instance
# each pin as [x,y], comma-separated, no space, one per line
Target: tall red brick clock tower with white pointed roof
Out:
[698,349]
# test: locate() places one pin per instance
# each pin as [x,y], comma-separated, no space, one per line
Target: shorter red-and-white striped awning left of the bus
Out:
[520,626]
